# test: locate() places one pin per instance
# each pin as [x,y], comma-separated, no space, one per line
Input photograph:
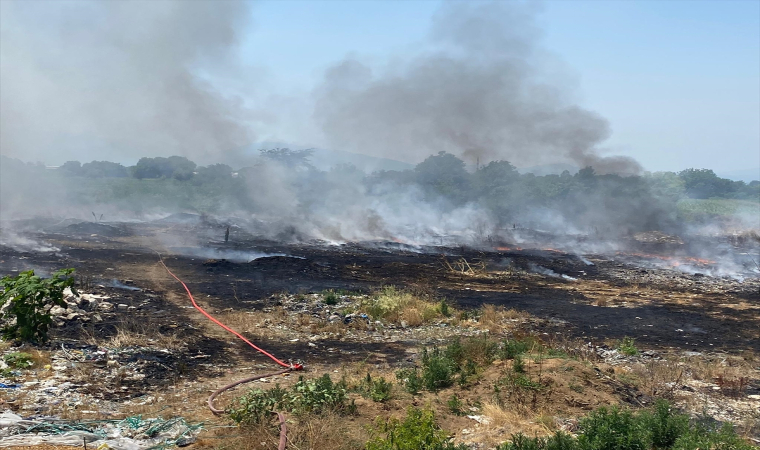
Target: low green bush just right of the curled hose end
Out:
[306,396]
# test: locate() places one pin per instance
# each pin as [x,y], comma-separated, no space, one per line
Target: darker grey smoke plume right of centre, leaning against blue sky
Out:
[481,95]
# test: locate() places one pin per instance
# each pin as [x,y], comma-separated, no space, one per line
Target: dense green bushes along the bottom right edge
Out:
[661,428]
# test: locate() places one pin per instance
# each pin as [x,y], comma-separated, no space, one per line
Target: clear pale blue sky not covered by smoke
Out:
[679,81]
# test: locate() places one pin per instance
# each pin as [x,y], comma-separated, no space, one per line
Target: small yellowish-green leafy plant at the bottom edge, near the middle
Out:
[418,431]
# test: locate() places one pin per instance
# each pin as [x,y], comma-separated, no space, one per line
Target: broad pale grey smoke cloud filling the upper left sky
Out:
[118,79]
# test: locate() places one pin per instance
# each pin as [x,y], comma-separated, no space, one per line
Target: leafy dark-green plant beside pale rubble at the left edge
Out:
[26,301]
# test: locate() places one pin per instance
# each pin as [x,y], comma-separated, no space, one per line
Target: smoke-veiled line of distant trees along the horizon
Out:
[648,201]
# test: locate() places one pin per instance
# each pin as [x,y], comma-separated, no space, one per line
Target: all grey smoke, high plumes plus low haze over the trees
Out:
[130,79]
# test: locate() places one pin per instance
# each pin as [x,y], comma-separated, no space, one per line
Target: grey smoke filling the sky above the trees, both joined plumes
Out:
[121,80]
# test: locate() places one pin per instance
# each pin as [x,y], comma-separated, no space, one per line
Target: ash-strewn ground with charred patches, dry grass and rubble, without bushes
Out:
[133,343]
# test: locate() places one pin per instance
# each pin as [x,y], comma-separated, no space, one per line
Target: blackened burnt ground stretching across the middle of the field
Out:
[220,275]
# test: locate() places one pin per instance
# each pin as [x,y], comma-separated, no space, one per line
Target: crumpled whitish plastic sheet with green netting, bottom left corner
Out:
[132,433]
